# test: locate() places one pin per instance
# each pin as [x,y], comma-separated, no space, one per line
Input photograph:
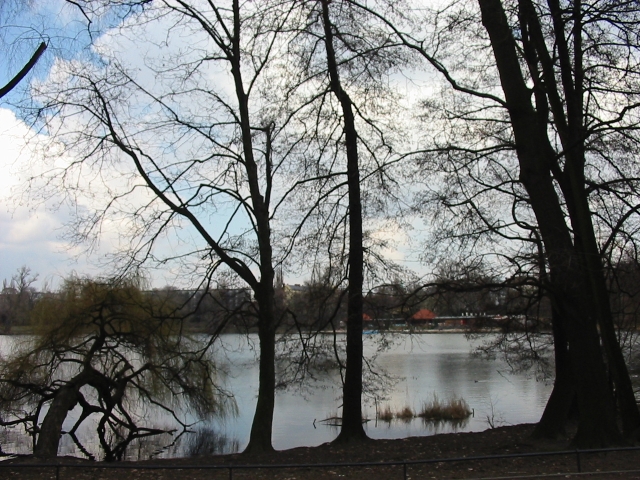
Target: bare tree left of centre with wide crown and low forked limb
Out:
[210,141]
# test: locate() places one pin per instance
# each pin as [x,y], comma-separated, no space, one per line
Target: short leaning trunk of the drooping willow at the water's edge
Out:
[51,429]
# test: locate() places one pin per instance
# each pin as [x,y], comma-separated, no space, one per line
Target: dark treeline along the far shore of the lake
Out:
[316,306]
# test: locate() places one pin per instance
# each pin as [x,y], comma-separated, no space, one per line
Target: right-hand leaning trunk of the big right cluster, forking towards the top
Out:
[571,129]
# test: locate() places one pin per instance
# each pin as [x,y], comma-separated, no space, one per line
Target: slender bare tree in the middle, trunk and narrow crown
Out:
[346,57]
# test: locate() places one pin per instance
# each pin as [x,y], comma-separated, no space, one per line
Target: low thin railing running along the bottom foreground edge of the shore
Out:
[231,468]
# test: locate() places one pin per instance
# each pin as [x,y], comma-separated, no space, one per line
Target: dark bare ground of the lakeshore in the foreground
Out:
[500,441]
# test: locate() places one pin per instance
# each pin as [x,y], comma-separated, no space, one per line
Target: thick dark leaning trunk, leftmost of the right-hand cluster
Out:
[569,290]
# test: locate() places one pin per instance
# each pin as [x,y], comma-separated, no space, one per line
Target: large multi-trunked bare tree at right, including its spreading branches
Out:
[560,66]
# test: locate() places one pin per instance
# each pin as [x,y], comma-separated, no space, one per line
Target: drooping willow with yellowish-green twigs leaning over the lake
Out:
[106,349]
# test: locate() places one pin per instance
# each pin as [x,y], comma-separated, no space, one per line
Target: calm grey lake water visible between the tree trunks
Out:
[416,367]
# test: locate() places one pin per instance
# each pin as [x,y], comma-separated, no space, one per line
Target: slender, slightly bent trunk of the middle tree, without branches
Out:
[352,429]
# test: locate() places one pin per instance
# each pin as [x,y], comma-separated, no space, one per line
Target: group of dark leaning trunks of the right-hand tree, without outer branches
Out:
[539,167]
